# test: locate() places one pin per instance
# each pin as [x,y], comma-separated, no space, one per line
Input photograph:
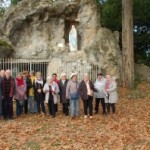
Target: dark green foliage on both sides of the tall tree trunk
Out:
[111,14]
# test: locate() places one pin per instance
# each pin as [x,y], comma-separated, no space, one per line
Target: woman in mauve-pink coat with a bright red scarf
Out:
[20,95]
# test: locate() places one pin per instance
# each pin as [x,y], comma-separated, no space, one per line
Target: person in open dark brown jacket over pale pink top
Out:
[86,89]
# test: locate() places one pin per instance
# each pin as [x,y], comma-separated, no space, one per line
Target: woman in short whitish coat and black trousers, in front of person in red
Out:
[51,89]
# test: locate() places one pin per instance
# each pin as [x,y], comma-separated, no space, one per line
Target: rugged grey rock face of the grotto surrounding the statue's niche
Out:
[36,28]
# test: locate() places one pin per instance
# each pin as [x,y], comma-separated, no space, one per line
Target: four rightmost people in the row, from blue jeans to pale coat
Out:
[104,90]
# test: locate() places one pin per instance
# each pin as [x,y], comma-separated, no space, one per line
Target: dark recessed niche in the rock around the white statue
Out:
[68,25]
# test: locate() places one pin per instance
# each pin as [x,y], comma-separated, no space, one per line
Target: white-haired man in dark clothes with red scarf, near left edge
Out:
[8,91]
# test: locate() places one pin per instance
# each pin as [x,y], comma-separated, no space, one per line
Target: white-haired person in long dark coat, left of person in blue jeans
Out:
[62,87]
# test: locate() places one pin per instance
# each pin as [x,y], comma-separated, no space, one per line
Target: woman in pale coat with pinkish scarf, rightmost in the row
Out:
[111,94]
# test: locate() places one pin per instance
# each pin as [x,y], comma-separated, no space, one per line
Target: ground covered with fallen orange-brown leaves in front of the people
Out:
[129,129]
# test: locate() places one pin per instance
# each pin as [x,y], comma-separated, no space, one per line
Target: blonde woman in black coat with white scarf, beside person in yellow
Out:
[38,92]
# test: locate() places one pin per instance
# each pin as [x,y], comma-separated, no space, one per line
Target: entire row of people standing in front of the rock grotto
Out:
[34,94]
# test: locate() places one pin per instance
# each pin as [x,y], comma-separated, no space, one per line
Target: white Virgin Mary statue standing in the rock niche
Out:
[73,39]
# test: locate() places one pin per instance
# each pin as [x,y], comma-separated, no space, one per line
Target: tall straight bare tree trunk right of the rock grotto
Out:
[127,44]
